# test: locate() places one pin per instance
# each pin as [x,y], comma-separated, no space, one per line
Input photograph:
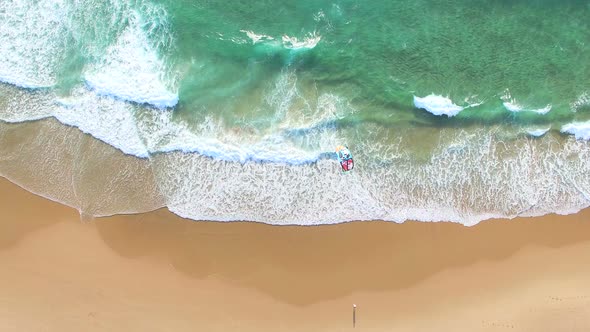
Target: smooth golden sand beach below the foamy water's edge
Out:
[158,272]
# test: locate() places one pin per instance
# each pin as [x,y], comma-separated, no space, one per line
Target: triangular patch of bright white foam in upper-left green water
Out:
[131,70]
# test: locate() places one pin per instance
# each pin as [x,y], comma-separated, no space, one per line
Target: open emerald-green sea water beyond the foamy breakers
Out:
[380,54]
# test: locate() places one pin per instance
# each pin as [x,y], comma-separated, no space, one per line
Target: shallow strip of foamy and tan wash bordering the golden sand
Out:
[104,181]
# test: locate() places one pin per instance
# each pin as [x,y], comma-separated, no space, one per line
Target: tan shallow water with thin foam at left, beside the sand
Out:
[63,164]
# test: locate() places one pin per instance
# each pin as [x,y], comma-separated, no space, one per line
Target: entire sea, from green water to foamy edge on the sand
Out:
[455,111]
